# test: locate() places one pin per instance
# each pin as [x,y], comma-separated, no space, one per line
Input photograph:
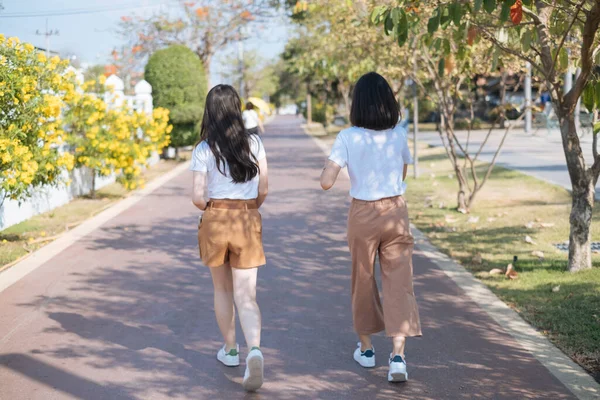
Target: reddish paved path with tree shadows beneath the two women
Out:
[126,313]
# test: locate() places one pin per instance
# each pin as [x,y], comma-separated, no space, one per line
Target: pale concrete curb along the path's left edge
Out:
[41,256]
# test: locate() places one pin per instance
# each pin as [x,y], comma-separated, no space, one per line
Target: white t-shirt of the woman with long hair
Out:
[222,186]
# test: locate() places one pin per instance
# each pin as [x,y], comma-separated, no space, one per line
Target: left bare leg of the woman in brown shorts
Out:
[224,310]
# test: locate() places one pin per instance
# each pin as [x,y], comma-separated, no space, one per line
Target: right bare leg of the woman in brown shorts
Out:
[244,294]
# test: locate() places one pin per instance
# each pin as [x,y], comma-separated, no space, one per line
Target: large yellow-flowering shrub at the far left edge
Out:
[33,90]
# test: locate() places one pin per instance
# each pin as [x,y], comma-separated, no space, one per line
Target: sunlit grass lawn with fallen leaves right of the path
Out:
[510,207]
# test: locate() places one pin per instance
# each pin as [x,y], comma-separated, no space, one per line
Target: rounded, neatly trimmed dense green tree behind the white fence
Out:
[179,84]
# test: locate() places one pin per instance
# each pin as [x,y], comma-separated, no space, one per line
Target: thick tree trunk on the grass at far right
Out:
[583,183]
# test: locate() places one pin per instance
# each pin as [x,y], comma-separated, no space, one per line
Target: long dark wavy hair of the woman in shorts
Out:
[223,130]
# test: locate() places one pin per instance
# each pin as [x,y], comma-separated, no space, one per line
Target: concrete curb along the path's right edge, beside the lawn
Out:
[569,373]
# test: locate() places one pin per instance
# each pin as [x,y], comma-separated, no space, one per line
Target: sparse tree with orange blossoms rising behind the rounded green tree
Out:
[205,27]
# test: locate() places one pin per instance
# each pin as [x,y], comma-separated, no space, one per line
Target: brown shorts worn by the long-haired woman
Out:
[230,231]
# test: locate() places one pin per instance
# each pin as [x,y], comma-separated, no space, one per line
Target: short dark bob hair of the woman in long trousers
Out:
[374,105]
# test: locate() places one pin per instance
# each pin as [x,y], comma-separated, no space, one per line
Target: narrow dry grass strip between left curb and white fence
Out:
[19,240]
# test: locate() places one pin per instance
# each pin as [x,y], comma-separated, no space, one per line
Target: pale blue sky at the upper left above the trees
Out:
[92,36]
